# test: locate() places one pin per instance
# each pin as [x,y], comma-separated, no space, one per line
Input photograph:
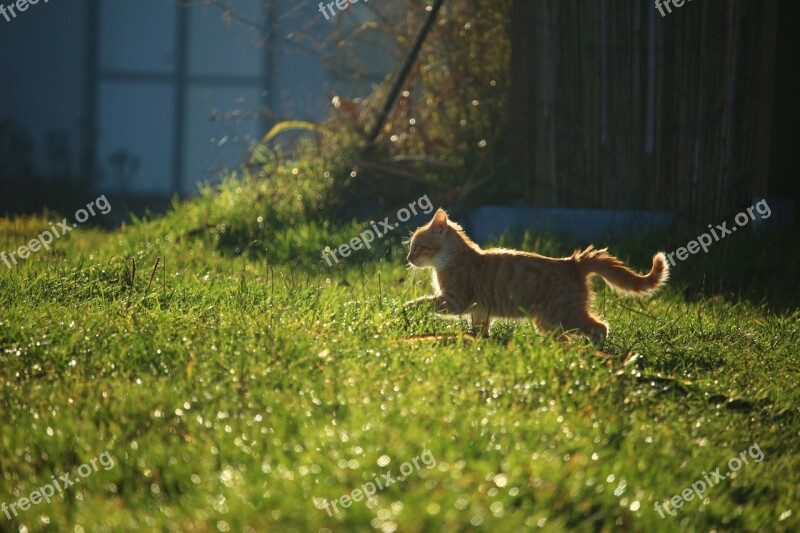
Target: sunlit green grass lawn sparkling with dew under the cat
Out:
[246,381]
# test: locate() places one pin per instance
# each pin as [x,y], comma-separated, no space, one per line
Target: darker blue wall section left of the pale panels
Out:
[42,83]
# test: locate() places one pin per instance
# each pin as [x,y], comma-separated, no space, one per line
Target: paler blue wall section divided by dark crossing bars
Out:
[181,97]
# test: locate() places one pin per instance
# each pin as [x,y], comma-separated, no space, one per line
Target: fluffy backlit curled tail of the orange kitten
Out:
[620,277]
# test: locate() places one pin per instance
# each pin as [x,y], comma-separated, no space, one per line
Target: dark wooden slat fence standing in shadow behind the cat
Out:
[615,106]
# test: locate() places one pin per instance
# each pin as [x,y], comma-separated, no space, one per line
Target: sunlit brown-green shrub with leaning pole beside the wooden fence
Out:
[445,133]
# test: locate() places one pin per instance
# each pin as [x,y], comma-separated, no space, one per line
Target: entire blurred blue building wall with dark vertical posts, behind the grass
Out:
[148,98]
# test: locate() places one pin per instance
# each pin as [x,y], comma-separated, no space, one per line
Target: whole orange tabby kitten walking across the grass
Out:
[488,284]
